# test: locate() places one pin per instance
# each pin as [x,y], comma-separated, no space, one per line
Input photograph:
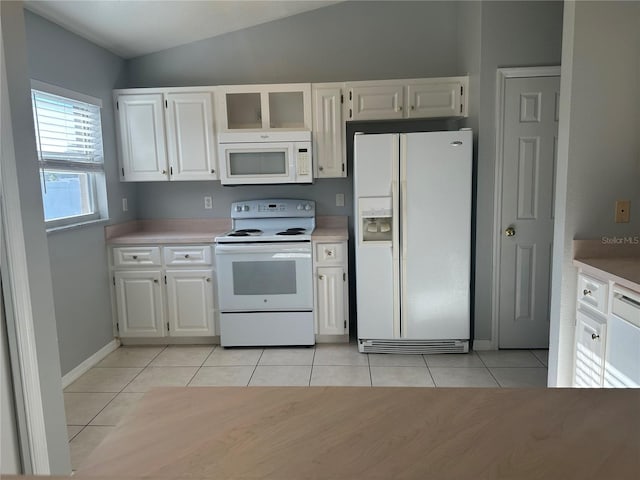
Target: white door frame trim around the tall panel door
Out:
[502,75]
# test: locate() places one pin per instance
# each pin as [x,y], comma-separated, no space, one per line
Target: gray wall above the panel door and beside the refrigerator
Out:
[514,34]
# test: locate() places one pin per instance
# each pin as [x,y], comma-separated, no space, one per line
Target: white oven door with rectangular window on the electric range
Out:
[262,277]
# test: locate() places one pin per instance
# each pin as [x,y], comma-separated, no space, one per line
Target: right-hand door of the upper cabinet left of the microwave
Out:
[190,136]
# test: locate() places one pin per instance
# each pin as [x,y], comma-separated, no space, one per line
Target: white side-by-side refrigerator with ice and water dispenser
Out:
[412,195]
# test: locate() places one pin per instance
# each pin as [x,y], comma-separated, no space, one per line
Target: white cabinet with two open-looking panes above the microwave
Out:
[265,107]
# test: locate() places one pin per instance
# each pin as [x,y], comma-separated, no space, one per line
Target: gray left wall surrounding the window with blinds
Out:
[78,256]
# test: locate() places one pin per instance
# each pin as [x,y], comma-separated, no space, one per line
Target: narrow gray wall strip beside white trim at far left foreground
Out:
[35,241]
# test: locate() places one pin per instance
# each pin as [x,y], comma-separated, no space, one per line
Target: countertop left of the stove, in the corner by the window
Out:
[171,231]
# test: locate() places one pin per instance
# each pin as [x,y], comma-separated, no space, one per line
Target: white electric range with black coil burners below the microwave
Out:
[265,285]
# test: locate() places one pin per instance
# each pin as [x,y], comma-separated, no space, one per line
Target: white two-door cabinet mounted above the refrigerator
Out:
[413,98]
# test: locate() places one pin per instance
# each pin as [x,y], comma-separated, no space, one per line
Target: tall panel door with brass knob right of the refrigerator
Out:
[529,152]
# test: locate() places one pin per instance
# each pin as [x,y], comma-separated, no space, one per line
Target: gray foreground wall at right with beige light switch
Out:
[598,149]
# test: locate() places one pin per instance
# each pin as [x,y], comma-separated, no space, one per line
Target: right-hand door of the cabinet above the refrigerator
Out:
[442,99]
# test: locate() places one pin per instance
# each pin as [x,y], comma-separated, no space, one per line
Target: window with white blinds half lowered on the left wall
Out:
[69,144]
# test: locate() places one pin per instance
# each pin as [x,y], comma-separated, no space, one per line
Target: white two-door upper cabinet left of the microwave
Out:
[166,135]
